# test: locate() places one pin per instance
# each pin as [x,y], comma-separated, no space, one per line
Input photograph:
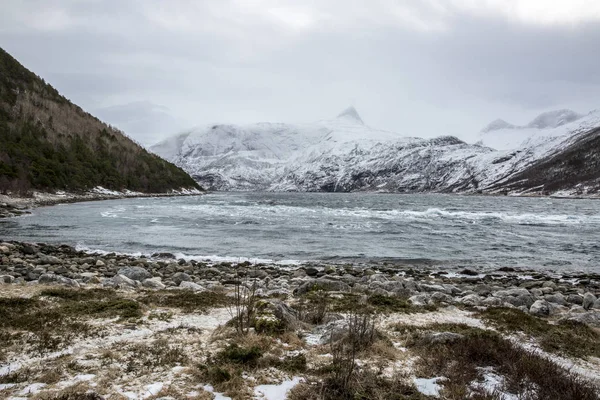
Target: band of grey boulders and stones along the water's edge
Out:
[572,295]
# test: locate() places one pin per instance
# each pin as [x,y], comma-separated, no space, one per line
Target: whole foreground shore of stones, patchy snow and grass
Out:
[406,305]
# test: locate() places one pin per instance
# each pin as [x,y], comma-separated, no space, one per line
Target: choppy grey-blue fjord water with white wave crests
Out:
[454,231]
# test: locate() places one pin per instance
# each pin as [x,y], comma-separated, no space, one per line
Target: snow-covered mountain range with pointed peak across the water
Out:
[344,154]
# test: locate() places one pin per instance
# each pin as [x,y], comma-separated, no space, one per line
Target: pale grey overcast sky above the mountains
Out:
[418,67]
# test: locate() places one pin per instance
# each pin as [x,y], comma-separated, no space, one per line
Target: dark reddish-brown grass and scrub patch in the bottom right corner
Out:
[526,374]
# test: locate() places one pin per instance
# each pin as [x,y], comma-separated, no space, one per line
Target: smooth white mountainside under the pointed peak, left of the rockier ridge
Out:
[249,157]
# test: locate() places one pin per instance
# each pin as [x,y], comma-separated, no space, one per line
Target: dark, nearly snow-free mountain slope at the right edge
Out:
[575,168]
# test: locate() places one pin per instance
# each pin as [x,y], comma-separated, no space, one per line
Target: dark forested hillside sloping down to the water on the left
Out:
[49,143]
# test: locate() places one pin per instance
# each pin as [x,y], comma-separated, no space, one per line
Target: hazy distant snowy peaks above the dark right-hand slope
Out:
[501,135]
